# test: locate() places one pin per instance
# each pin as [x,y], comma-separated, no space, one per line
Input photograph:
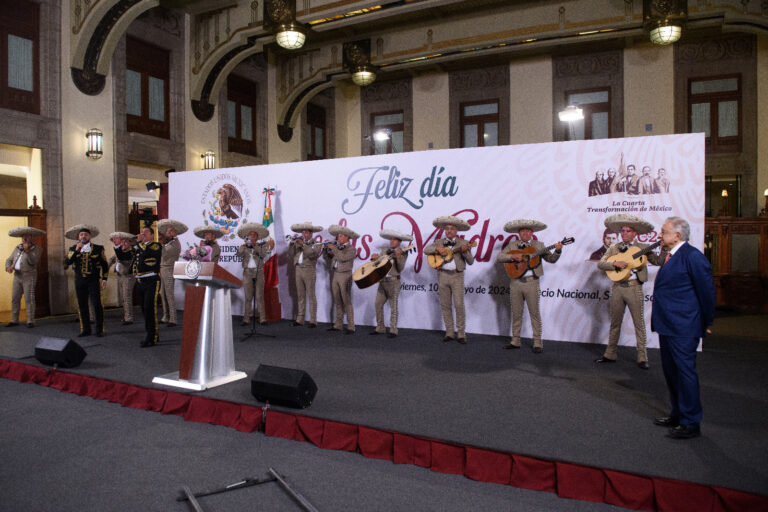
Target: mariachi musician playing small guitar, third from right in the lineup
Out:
[450,275]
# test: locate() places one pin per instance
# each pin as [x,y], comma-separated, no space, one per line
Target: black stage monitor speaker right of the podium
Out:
[283,386]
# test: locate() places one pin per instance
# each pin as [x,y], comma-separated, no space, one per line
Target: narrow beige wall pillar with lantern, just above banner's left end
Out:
[199,136]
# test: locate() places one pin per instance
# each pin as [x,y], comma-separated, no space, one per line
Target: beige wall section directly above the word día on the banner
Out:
[430,112]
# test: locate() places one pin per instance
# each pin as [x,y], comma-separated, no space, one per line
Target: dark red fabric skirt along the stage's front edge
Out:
[568,480]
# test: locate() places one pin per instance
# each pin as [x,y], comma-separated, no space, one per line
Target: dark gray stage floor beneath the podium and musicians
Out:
[556,406]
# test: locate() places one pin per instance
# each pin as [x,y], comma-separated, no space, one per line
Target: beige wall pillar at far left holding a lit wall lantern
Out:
[88,185]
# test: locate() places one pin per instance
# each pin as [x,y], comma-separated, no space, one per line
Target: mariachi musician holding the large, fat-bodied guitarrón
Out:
[389,285]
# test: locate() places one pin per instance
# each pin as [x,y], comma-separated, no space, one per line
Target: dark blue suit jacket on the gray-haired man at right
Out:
[684,295]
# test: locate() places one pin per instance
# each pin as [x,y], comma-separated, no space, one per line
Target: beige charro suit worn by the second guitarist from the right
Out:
[526,289]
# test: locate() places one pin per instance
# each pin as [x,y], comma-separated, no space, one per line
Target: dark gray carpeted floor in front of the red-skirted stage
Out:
[63,452]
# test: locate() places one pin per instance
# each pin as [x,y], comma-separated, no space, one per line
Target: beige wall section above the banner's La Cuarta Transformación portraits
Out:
[648,90]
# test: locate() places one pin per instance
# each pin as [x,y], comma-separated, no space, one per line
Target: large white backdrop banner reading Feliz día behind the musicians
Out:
[557,183]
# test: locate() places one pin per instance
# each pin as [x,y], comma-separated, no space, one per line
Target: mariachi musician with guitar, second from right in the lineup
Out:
[525,287]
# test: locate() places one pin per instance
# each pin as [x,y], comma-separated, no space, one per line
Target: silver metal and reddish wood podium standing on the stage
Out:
[207,354]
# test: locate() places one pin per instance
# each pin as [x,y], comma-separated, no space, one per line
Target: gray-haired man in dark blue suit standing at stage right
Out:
[683,308]
